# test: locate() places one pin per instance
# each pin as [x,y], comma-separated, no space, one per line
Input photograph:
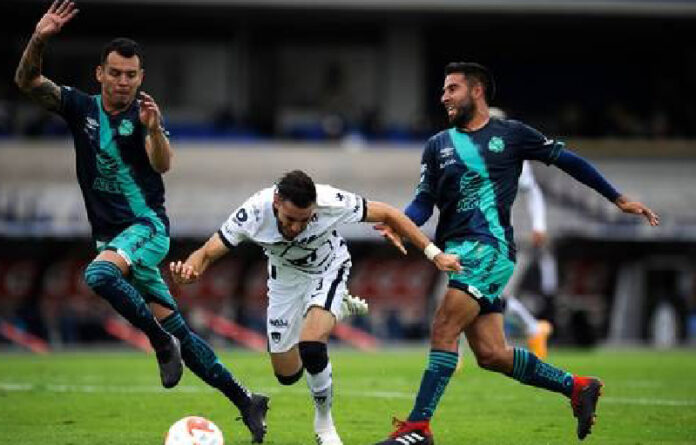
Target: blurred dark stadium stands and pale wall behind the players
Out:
[348,90]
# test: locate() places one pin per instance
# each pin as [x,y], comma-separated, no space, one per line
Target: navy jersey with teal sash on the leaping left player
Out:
[119,186]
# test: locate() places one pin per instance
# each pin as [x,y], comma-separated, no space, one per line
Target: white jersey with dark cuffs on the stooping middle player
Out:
[316,249]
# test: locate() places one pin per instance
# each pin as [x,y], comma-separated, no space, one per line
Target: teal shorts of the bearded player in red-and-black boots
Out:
[485,273]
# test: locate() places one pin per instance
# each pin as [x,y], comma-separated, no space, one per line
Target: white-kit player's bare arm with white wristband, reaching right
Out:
[380,212]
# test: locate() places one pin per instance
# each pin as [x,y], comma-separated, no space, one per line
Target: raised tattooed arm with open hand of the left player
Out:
[28,76]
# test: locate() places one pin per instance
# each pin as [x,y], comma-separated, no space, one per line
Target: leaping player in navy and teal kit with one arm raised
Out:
[121,152]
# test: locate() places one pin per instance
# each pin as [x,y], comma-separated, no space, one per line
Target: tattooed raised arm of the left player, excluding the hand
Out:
[29,79]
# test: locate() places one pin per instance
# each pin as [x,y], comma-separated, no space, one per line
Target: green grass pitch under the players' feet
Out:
[114,398]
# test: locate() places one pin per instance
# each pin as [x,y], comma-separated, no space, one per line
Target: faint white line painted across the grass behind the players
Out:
[189,389]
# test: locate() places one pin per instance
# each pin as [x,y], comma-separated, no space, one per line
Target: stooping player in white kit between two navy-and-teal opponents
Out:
[308,262]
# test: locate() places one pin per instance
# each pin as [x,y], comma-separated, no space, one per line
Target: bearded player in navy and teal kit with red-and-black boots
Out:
[470,172]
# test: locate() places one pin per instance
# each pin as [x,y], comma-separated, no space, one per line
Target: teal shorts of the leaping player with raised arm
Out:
[144,246]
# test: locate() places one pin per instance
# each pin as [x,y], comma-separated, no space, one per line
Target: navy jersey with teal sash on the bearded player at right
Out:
[472,178]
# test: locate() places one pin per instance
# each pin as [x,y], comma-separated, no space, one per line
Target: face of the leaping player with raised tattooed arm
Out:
[120,78]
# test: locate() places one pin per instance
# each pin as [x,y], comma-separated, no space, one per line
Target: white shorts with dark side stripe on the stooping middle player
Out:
[291,294]
